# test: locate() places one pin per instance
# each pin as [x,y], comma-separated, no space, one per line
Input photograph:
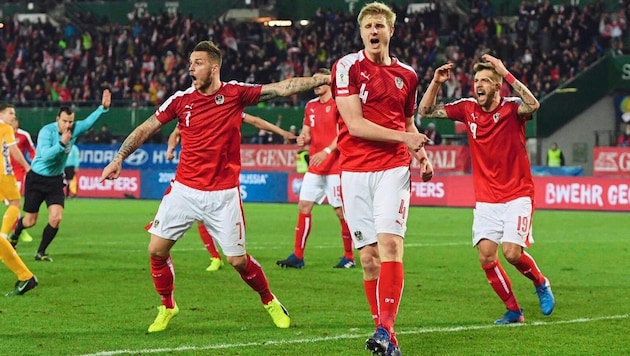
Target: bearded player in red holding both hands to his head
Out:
[502,178]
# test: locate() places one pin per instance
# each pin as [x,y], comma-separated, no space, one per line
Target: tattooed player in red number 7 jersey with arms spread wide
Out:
[206,184]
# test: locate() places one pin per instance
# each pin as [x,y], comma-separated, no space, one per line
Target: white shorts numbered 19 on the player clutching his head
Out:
[504,222]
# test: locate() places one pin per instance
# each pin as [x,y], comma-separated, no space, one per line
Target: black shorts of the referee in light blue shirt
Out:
[38,188]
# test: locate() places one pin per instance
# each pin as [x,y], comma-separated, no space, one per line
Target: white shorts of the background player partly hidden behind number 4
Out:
[316,187]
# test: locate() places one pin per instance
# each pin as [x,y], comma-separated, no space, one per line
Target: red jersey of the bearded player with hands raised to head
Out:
[500,162]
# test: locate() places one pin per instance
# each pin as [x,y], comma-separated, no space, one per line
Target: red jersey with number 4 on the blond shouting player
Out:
[388,98]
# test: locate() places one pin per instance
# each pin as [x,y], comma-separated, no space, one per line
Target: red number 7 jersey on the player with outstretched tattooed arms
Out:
[210,127]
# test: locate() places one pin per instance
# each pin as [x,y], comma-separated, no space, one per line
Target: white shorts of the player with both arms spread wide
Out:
[219,211]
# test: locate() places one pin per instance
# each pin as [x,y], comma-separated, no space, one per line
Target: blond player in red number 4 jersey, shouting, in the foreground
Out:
[376,97]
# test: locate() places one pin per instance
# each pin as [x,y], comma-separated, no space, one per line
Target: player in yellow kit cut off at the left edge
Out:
[9,191]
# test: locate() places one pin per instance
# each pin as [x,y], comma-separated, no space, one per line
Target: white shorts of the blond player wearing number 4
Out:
[376,203]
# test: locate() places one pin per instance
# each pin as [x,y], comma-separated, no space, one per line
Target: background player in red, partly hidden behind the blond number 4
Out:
[319,131]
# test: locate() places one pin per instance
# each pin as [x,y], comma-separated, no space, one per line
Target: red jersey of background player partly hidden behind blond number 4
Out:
[322,119]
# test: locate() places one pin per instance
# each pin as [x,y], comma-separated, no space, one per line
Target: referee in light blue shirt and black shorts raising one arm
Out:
[44,182]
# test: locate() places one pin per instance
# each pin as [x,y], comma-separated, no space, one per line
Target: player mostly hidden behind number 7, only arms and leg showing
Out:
[216,262]
